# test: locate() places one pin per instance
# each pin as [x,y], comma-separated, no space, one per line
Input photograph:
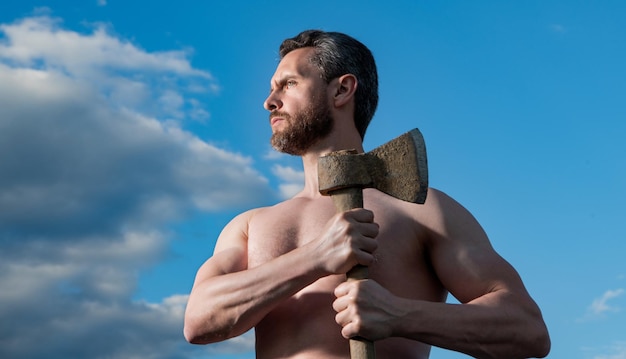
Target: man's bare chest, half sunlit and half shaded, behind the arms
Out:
[401,256]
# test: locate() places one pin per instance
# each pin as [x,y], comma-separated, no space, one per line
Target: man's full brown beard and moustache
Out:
[303,130]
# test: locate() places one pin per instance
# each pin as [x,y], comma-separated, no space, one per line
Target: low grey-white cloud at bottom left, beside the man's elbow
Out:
[65,293]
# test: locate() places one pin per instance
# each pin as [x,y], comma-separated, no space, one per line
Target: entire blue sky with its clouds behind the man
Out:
[131,132]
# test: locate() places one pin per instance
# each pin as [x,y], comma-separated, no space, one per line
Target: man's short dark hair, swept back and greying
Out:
[337,54]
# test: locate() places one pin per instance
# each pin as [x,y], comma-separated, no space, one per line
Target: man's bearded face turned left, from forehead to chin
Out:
[299,112]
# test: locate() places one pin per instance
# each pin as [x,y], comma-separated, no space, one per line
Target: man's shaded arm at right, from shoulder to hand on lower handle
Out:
[497,318]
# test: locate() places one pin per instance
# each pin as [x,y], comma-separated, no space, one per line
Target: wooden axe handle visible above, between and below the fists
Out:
[346,199]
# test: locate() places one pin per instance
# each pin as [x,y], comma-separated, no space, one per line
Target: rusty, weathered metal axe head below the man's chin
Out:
[398,168]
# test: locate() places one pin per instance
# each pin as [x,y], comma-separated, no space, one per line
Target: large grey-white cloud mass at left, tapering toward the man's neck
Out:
[79,152]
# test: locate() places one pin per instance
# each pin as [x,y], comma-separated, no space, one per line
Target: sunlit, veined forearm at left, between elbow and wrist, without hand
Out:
[228,305]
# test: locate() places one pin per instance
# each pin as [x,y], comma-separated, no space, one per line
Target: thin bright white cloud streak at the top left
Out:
[41,39]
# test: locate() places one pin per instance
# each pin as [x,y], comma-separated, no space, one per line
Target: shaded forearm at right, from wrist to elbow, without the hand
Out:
[493,326]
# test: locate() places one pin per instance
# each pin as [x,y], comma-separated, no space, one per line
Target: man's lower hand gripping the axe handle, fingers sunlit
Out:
[365,309]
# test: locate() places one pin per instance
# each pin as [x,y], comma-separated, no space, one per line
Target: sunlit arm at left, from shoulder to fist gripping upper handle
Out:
[228,298]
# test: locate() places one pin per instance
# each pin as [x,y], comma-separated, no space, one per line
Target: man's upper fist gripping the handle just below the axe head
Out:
[347,240]
